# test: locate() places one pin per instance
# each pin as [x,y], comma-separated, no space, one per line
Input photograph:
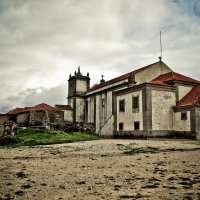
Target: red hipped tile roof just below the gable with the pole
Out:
[172,76]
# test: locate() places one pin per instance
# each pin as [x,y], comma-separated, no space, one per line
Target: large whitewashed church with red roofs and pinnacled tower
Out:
[152,101]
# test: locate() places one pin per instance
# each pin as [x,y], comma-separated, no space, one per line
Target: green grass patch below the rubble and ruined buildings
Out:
[32,137]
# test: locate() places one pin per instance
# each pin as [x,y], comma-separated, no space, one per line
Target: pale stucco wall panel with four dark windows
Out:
[130,116]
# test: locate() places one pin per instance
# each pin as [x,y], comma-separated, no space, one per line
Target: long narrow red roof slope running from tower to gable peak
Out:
[120,78]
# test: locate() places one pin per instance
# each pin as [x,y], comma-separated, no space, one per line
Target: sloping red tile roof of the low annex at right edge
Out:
[191,97]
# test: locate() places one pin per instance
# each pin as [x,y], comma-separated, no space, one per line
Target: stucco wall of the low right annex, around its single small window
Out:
[181,125]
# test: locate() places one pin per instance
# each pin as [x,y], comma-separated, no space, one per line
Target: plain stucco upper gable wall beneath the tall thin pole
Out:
[151,73]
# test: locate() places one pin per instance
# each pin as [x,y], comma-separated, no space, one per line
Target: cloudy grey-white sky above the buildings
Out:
[42,42]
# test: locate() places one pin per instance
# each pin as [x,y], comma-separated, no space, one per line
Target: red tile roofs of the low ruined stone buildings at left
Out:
[38,107]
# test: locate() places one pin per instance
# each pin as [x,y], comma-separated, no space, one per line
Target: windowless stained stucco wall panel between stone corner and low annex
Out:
[162,113]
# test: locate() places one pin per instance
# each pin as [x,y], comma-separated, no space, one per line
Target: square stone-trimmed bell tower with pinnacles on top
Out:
[78,85]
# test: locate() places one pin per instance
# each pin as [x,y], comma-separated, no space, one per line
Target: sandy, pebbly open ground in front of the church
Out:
[101,170]
